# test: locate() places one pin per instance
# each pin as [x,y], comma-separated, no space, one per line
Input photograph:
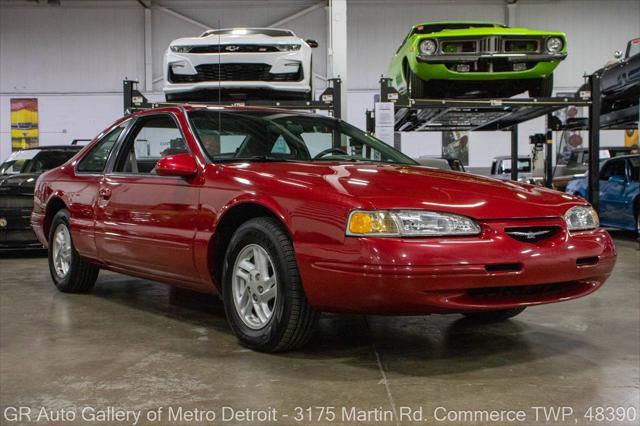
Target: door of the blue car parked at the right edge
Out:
[613,181]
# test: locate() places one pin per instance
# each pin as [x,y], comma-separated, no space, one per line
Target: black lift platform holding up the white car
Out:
[329,100]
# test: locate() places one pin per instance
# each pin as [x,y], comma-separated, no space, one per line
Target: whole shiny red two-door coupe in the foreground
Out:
[288,214]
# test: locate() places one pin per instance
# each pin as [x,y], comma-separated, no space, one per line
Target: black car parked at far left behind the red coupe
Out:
[18,176]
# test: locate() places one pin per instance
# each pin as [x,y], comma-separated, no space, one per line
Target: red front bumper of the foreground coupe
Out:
[445,275]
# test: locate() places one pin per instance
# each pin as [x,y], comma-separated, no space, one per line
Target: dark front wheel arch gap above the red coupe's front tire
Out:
[230,220]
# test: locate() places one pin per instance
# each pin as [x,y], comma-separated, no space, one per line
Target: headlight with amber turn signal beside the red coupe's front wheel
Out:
[409,223]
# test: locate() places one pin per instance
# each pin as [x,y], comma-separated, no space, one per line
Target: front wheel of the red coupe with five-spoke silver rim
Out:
[262,292]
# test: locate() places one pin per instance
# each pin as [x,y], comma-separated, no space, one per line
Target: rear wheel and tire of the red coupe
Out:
[70,273]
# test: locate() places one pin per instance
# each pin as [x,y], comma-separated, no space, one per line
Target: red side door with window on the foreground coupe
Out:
[146,223]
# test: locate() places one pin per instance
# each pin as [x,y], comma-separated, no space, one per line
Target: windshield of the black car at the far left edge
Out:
[34,161]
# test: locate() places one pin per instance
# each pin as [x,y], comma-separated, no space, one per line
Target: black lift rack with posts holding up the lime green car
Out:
[505,115]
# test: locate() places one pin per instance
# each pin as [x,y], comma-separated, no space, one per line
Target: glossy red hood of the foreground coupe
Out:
[383,186]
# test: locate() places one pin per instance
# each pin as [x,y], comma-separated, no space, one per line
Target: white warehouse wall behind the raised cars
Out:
[73,58]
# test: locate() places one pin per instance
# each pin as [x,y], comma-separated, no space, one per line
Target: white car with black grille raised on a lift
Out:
[240,63]
